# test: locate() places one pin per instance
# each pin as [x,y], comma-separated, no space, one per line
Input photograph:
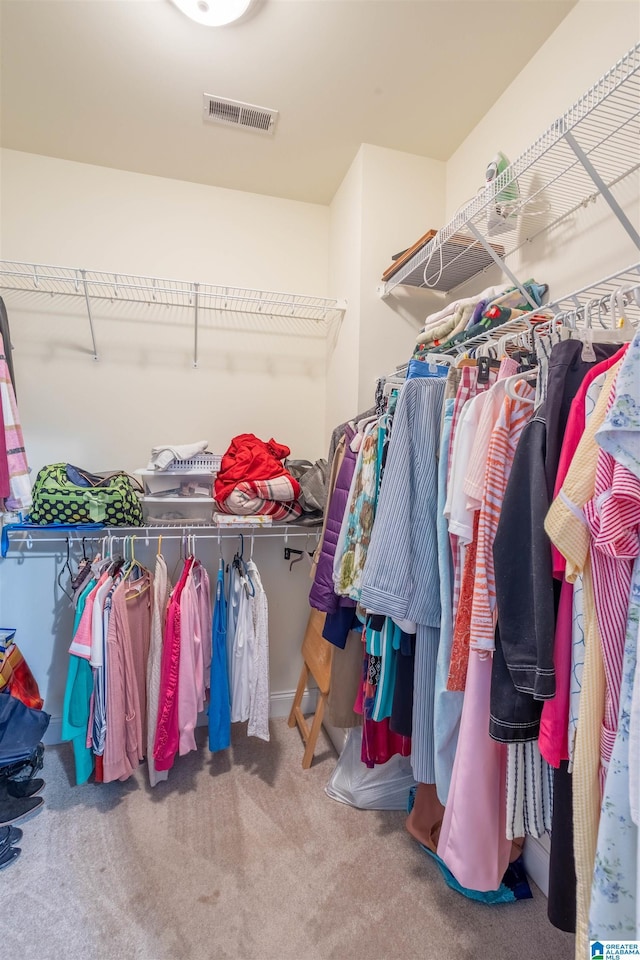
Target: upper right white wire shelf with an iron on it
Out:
[583,155]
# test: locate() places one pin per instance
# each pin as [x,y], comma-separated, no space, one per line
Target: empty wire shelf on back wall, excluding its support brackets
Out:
[127,288]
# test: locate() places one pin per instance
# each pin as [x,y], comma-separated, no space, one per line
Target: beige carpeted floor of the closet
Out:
[241,857]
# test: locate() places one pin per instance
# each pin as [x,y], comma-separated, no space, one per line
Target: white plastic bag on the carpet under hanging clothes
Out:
[385,787]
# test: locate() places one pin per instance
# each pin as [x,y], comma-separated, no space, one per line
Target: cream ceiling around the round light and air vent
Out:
[120,83]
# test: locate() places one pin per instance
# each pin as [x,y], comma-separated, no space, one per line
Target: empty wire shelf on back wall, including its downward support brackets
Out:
[247,309]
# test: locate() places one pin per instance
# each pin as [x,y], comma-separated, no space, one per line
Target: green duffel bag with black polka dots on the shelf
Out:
[57,498]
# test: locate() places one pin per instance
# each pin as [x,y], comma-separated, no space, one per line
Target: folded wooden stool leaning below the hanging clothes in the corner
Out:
[316,654]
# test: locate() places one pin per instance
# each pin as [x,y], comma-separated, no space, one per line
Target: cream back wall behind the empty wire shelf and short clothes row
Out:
[144,390]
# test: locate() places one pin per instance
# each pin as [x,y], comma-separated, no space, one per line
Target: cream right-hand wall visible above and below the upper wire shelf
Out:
[590,244]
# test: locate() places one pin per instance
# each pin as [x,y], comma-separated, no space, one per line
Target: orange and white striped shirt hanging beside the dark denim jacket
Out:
[502,447]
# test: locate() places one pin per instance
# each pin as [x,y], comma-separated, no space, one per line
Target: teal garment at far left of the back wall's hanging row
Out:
[77,697]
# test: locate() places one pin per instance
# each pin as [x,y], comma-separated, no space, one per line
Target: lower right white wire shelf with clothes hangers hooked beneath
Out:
[601,305]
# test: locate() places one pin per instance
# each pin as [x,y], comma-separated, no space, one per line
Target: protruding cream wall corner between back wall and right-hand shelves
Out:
[381,208]
